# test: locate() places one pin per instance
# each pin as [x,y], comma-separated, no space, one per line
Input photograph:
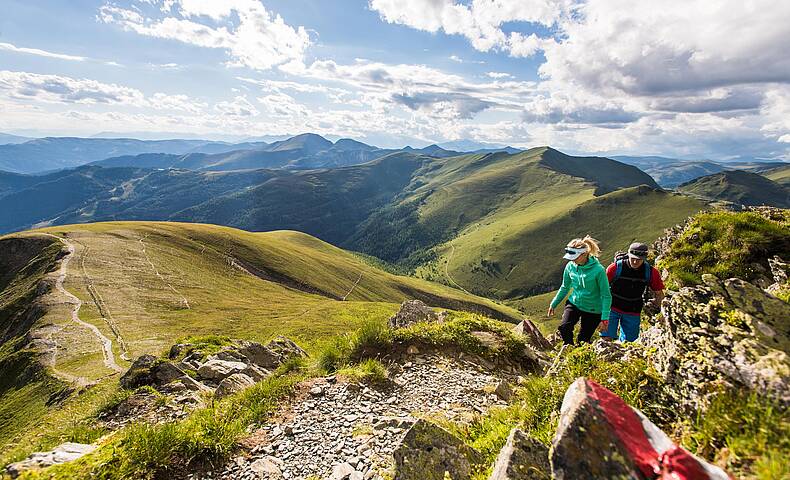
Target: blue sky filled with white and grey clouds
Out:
[688,79]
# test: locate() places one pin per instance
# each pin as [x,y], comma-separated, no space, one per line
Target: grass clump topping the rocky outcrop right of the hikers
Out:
[727,245]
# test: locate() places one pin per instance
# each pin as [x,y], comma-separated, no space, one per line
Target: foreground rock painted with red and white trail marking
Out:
[600,436]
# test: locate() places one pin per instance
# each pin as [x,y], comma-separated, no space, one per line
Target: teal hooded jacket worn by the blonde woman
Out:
[590,288]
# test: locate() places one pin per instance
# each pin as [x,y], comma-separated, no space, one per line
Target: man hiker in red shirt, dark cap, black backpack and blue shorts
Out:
[630,276]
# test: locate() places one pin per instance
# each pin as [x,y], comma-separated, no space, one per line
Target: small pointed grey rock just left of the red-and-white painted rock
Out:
[522,458]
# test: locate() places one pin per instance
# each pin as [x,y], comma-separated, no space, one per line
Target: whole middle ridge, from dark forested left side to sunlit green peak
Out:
[485,214]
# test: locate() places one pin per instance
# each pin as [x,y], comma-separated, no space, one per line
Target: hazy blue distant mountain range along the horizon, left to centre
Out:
[299,152]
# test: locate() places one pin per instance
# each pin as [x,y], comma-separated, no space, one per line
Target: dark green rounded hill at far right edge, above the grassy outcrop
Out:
[739,187]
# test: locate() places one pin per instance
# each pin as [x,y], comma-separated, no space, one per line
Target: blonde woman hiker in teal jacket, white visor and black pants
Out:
[590,300]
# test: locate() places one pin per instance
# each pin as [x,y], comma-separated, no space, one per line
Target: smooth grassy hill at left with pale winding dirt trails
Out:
[144,285]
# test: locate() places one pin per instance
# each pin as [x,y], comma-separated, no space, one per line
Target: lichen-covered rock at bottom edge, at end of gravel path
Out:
[428,451]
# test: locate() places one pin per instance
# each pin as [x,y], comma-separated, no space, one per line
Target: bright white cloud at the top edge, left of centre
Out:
[257,39]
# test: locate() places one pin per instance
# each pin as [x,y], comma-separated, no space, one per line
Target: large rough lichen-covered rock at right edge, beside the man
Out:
[722,334]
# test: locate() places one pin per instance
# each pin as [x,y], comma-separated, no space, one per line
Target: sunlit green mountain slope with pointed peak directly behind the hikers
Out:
[495,224]
